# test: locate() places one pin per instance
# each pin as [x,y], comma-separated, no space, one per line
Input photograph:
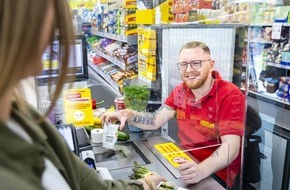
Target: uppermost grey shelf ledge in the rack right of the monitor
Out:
[132,39]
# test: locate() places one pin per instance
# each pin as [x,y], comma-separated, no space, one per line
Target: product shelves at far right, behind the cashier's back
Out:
[269,61]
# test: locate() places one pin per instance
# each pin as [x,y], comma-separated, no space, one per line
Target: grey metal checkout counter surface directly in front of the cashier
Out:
[140,148]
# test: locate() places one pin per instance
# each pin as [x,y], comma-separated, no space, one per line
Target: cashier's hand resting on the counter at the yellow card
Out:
[191,172]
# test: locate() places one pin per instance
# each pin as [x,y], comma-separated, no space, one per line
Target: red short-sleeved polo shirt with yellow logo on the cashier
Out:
[202,123]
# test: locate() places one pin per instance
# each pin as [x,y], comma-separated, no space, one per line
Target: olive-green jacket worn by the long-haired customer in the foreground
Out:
[22,163]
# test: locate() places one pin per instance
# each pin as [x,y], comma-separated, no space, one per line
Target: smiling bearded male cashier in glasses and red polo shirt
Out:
[209,111]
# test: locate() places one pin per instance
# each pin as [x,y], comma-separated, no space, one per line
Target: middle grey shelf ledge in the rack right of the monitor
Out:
[131,60]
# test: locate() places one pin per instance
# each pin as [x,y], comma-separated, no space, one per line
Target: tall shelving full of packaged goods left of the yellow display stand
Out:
[113,41]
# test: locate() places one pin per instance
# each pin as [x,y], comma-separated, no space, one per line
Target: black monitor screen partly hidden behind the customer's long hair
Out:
[78,65]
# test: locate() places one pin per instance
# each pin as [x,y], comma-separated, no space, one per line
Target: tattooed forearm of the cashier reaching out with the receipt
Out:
[143,118]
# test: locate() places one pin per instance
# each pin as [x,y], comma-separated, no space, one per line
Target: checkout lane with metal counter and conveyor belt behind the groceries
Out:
[139,148]
